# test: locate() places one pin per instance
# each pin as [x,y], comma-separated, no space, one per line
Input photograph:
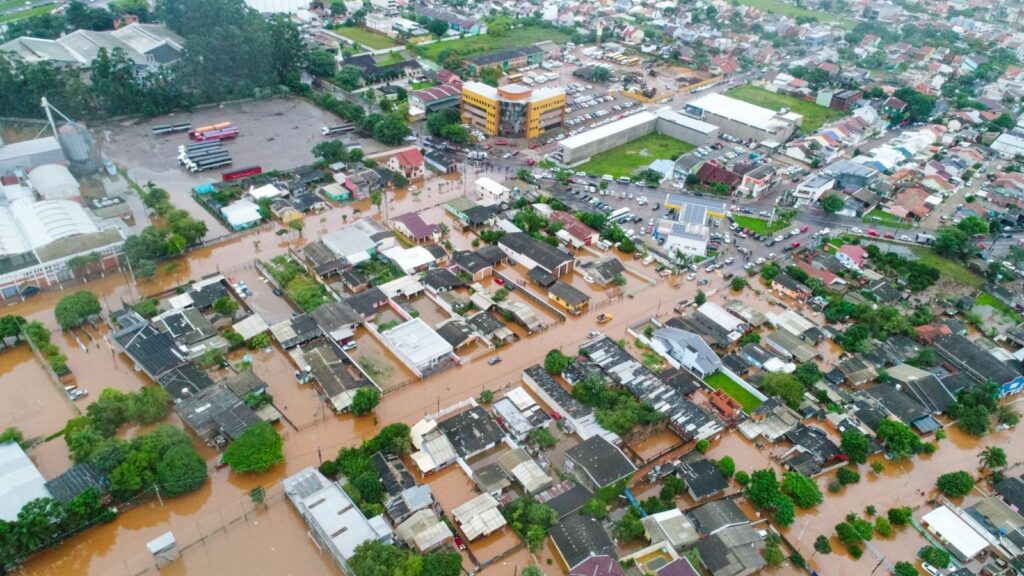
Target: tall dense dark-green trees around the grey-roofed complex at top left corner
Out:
[232,52]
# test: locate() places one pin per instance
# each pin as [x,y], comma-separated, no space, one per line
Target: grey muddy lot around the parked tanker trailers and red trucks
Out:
[276,135]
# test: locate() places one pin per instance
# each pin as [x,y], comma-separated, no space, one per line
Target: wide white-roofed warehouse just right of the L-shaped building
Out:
[745,120]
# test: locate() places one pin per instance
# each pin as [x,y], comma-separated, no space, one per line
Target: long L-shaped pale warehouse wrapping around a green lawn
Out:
[579,149]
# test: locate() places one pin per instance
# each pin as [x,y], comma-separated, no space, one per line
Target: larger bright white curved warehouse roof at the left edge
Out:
[50,221]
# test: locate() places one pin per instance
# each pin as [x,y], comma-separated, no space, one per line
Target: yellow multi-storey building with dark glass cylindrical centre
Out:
[514,110]
